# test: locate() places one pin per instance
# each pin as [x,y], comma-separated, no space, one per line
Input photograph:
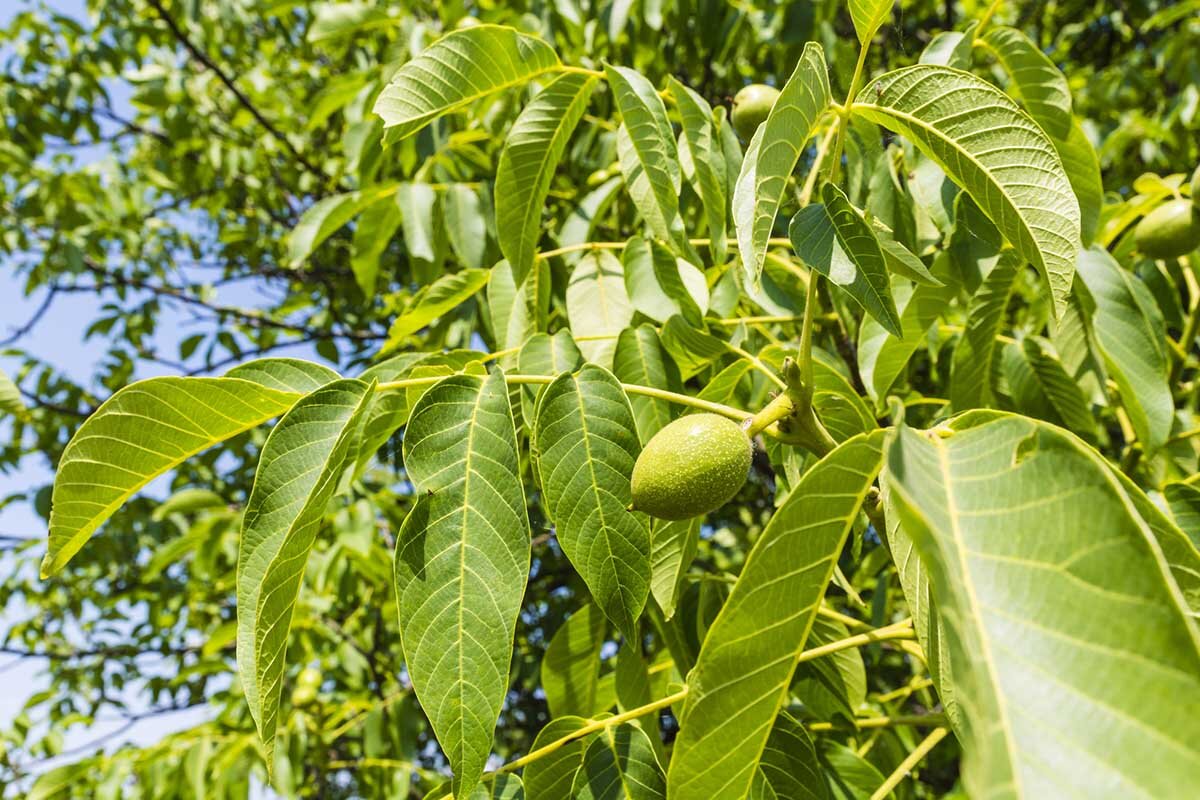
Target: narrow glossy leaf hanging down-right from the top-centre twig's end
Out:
[649,157]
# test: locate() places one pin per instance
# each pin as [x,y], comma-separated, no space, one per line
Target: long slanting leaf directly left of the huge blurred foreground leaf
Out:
[749,655]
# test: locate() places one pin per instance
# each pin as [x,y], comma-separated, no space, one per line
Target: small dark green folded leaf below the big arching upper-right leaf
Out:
[841,245]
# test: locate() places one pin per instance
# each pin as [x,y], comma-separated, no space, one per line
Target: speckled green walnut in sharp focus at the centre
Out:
[693,466]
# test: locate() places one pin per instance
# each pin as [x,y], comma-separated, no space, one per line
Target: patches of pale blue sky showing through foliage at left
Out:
[59,340]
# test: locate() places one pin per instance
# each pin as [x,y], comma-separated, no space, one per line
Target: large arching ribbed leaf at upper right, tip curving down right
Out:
[993,151]
